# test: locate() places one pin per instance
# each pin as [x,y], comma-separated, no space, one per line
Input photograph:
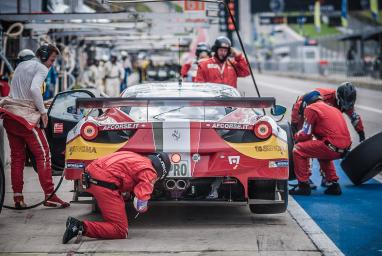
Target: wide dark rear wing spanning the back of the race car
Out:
[237,102]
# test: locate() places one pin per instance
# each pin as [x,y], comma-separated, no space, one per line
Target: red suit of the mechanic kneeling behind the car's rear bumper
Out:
[130,172]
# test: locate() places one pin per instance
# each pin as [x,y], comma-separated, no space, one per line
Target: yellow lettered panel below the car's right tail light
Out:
[273,148]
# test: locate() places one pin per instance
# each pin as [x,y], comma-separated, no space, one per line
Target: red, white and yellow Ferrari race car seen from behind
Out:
[208,130]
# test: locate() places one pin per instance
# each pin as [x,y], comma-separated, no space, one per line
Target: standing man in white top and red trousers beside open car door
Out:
[25,118]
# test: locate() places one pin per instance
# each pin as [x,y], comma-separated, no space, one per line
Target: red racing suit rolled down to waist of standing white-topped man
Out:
[21,123]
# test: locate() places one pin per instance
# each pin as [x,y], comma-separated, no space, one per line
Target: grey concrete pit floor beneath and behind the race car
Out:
[164,230]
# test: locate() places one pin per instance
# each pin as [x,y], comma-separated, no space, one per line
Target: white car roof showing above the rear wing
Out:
[175,89]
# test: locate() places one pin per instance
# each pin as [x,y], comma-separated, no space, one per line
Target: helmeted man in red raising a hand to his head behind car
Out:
[221,68]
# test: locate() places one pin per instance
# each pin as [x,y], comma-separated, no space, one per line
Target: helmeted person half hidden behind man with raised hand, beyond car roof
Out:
[190,69]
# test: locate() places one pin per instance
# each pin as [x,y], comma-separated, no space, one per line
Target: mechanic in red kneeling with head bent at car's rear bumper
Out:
[106,178]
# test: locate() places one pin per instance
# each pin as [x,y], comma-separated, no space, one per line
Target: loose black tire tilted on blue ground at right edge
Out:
[364,161]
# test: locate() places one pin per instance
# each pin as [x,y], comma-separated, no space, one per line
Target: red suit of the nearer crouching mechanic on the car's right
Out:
[332,139]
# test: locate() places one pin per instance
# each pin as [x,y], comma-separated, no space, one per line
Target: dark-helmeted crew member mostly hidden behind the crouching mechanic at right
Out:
[343,99]
